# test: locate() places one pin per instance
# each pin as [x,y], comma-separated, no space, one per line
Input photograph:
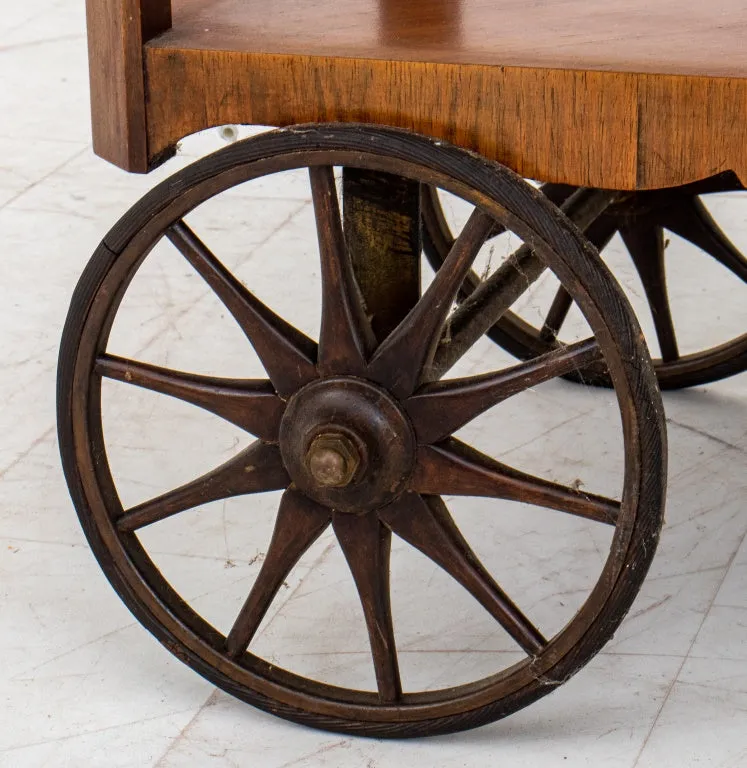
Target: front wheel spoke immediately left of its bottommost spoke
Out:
[300,522]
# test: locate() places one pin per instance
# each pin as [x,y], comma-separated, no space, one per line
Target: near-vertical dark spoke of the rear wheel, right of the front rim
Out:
[646,247]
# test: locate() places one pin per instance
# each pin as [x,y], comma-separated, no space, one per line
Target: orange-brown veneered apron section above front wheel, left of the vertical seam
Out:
[554,125]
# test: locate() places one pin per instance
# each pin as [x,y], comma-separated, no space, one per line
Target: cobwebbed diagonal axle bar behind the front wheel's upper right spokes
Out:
[495,295]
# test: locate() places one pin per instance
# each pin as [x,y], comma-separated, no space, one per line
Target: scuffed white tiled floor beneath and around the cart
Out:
[82,684]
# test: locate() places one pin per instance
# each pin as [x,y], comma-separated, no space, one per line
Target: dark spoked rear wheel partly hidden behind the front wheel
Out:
[641,219]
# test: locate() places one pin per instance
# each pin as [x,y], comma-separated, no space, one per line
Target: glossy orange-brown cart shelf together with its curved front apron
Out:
[622,96]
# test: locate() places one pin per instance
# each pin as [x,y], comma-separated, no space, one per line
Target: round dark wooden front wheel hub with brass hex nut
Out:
[346,443]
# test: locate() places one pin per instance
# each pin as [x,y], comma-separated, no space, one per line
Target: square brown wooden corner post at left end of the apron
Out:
[117,30]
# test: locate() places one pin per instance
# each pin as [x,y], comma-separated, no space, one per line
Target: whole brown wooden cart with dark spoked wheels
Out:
[627,112]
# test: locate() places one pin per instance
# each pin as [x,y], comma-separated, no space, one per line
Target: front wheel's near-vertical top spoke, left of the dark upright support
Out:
[346,337]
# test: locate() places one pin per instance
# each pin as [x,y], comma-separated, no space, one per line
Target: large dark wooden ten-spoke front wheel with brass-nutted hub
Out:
[358,436]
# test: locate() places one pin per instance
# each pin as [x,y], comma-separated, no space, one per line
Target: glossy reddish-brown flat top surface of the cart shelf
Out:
[682,37]
